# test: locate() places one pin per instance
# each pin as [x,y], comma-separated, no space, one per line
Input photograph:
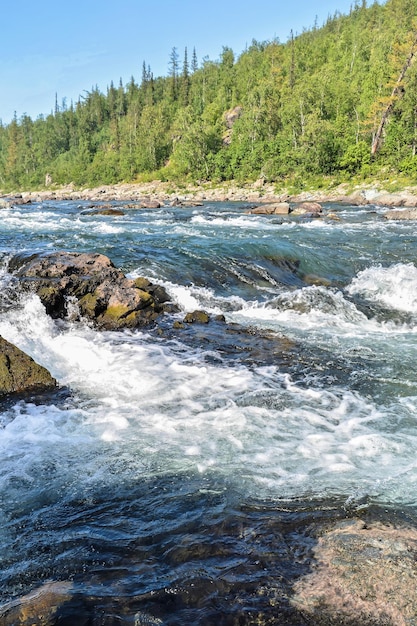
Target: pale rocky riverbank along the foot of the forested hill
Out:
[150,195]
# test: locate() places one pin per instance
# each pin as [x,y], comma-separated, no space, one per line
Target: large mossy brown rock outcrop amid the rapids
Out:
[91,285]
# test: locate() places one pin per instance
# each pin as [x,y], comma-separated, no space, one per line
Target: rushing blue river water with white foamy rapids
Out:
[174,477]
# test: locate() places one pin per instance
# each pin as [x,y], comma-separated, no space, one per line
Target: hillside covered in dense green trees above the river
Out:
[336,101]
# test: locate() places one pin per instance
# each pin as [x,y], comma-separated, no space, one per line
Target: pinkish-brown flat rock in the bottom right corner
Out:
[363,574]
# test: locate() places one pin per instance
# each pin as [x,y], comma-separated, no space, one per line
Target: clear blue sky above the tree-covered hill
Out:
[65,48]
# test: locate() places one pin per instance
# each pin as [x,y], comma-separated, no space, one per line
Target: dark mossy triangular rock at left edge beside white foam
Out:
[19,373]
